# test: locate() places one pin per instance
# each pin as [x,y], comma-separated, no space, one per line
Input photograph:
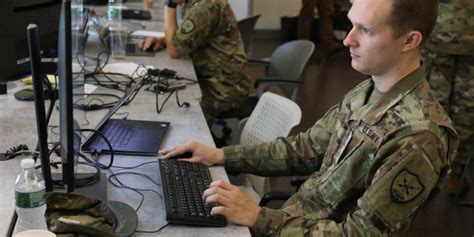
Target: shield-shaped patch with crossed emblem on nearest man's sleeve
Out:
[406,186]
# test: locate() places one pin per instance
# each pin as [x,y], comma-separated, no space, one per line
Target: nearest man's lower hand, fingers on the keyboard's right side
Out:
[232,203]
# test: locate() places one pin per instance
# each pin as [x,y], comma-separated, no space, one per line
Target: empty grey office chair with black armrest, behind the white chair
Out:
[283,72]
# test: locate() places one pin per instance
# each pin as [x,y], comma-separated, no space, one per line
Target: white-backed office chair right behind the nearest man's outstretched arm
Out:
[274,116]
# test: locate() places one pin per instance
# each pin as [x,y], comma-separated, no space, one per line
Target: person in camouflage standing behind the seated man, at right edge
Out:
[449,57]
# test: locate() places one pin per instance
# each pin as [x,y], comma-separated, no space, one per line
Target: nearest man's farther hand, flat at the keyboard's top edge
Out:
[200,153]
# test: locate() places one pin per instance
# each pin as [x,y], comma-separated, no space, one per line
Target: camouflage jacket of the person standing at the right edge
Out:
[454,30]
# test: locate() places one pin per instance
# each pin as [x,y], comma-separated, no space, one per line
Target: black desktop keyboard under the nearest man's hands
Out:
[183,184]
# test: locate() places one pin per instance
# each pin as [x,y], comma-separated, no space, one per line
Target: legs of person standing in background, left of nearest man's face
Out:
[326,31]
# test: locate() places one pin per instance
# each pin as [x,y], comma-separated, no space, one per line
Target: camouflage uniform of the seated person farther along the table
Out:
[209,35]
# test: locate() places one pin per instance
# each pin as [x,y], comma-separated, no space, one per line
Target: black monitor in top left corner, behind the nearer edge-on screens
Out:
[15,16]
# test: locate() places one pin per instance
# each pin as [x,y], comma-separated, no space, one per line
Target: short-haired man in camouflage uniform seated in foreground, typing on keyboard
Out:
[374,158]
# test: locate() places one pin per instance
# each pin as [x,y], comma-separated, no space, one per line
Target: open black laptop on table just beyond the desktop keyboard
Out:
[128,137]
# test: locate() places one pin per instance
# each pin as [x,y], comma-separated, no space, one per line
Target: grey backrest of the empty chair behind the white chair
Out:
[288,62]
